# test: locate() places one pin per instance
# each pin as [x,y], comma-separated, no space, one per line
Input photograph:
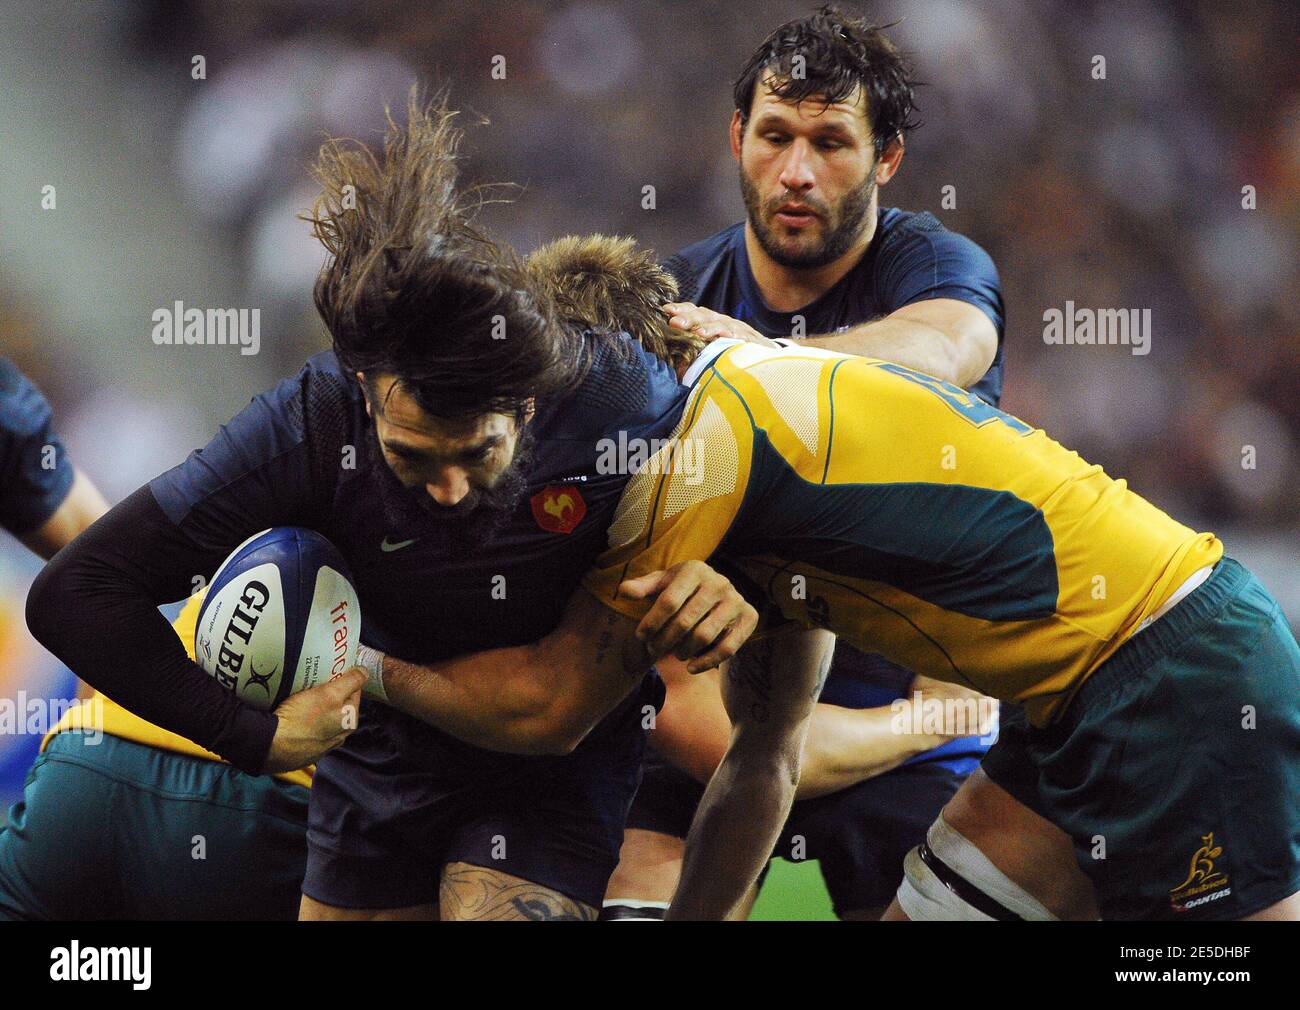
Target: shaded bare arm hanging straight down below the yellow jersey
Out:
[770,690]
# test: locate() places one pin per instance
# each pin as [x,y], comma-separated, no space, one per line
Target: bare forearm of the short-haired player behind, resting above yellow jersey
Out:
[942,337]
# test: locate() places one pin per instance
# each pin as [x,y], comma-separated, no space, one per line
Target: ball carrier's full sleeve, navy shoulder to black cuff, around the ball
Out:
[96,605]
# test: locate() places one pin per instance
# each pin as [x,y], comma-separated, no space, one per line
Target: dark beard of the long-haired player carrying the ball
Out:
[411,514]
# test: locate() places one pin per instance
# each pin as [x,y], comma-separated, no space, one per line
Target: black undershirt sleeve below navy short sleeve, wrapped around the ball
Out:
[96,608]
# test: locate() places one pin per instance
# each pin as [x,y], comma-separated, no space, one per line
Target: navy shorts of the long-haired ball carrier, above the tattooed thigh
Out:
[384,822]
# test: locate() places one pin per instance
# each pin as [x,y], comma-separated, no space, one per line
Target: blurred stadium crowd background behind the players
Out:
[1117,193]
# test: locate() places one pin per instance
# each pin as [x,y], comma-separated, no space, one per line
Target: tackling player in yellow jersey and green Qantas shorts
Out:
[911,518]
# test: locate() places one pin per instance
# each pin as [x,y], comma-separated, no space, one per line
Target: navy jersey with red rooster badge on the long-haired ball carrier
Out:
[279,463]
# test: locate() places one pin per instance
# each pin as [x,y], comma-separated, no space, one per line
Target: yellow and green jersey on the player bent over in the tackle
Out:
[907,517]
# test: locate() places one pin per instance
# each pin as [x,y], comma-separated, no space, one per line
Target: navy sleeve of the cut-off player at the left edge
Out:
[36,474]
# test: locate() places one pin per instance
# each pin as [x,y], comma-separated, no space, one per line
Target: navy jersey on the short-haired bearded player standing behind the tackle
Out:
[912,258]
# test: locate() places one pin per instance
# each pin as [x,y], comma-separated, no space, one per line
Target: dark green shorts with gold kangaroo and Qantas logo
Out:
[1177,766]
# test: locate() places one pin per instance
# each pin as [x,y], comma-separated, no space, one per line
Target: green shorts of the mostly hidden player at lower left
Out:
[110,829]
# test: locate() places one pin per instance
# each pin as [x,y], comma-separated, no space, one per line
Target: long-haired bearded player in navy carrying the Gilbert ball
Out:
[448,447]
